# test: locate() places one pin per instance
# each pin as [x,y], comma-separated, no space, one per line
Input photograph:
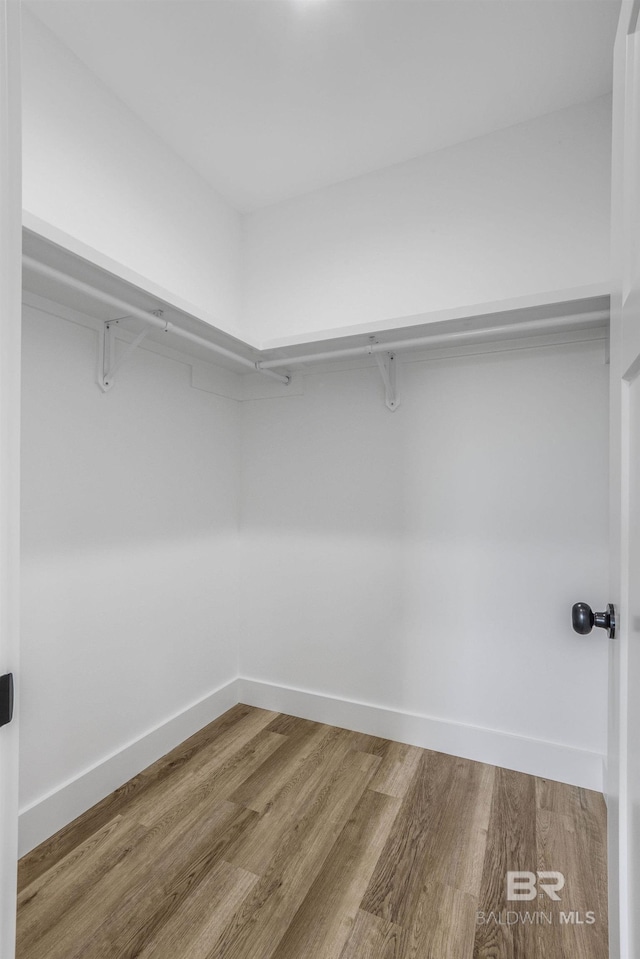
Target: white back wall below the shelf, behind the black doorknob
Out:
[426,560]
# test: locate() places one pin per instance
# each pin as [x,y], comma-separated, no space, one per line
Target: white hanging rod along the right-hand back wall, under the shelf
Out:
[528,326]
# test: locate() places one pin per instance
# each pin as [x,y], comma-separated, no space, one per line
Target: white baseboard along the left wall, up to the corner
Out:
[51,812]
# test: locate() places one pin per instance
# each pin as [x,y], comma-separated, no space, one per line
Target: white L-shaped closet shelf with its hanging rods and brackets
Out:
[57,272]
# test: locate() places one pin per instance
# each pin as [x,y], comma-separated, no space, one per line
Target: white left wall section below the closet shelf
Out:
[130,551]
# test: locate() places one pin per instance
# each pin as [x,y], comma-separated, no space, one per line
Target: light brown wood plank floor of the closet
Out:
[270,837]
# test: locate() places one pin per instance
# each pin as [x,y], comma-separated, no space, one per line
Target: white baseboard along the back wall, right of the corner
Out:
[536,757]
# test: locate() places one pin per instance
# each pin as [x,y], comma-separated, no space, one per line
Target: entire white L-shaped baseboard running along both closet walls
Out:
[51,812]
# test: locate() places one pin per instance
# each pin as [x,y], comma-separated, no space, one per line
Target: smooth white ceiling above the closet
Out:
[268,99]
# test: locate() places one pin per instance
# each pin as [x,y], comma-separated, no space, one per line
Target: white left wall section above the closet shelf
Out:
[93,170]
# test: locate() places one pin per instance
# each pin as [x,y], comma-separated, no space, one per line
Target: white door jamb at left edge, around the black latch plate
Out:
[10,296]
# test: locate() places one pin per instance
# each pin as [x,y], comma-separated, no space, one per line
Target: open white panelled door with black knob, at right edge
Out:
[623,779]
